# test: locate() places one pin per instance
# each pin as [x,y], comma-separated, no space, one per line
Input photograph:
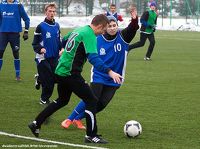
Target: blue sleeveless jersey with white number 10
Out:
[114,55]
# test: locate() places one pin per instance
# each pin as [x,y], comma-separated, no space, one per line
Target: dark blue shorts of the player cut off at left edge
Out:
[12,38]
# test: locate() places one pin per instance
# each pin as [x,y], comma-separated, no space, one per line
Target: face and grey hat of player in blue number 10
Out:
[112,26]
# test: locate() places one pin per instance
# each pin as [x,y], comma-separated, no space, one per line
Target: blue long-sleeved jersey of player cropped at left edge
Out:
[10,17]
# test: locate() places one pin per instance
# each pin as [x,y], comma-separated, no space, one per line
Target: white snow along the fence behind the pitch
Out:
[162,24]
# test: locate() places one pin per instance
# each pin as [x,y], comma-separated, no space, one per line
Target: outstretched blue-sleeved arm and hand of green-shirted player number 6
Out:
[94,59]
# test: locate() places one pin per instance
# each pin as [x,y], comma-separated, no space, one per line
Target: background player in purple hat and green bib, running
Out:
[148,21]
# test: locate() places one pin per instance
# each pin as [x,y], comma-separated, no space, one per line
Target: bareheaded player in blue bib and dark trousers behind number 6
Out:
[47,45]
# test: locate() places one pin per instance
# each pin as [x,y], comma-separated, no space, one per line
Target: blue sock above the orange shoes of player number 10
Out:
[80,108]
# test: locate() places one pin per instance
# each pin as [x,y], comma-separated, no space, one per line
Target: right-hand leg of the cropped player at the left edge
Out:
[14,40]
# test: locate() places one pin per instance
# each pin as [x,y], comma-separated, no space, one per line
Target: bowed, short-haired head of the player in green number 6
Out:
[99,24]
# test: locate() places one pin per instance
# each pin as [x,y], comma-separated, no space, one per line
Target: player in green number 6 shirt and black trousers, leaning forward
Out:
[80,45]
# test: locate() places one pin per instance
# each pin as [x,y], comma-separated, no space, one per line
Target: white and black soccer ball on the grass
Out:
[132,129]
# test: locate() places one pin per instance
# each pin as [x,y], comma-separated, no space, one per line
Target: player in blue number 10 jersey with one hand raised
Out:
[113,48]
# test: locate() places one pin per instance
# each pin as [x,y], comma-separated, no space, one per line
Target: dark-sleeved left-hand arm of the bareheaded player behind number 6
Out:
[36,40]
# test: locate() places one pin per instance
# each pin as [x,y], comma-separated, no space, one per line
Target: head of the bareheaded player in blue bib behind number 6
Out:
[50,11]
